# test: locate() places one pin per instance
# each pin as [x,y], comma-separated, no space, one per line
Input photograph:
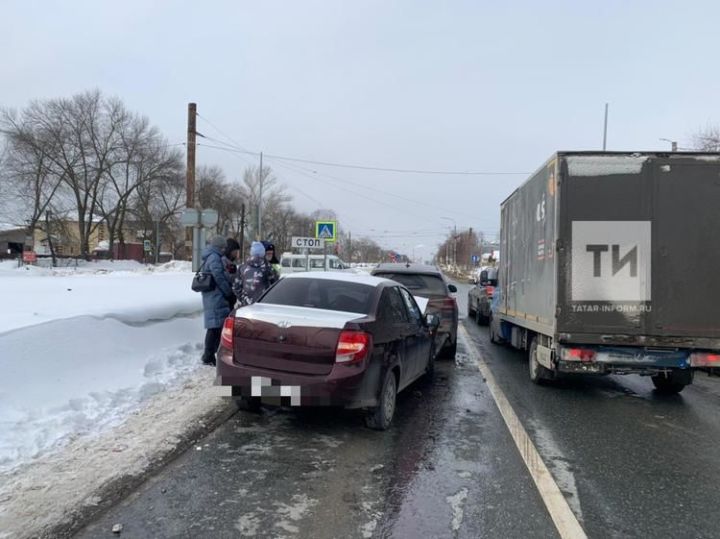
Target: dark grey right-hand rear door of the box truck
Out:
[686,248]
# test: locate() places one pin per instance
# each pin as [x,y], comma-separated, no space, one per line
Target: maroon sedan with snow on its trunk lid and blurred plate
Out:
[328,339]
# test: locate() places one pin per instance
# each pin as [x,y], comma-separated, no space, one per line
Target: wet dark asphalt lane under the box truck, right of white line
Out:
[630,462]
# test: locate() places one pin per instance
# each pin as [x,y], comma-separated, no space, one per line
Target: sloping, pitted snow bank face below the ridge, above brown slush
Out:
[81,376]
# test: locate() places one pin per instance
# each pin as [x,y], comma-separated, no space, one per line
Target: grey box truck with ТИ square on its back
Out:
[610,264]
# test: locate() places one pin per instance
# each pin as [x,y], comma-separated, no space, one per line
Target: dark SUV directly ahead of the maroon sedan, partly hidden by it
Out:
[428,281]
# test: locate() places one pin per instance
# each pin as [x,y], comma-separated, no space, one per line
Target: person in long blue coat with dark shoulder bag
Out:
[216,302]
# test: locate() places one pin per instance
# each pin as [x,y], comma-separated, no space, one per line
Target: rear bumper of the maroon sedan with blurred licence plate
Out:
[349,386]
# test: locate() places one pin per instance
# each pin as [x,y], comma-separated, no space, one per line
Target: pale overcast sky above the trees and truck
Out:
[462,86]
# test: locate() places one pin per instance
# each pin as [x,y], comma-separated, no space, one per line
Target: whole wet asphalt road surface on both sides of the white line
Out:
[629,463]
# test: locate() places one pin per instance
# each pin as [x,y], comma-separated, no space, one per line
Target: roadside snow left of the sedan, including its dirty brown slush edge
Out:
[99,378]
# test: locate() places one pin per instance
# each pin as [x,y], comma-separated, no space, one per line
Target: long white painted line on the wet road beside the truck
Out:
[565,521]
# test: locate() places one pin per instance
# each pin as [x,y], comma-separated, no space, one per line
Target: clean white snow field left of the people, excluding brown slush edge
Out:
[81,348]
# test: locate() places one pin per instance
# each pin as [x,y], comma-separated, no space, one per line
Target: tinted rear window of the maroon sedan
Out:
[321,294]
